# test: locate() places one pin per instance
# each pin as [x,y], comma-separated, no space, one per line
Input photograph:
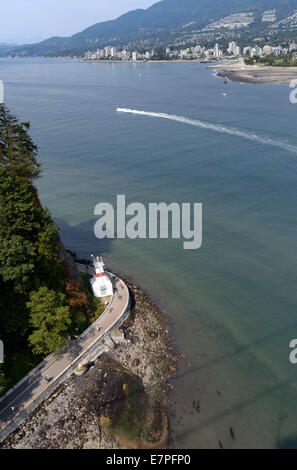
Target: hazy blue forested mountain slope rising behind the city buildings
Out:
[170,20]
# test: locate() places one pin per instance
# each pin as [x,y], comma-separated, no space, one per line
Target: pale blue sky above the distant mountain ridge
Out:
[27,21]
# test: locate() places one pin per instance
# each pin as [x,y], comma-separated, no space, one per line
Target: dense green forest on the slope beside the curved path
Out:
[41,303]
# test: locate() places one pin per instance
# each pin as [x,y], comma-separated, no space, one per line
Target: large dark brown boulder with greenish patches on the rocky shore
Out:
[116,398]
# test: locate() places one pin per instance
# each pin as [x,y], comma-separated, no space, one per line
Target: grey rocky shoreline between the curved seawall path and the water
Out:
[142,349]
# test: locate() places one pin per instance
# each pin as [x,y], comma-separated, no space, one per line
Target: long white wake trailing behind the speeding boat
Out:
[215,128]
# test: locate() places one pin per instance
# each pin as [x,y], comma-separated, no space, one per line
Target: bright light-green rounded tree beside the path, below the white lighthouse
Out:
[50,318]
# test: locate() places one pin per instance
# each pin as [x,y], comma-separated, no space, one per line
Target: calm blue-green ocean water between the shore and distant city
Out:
[232,304]
